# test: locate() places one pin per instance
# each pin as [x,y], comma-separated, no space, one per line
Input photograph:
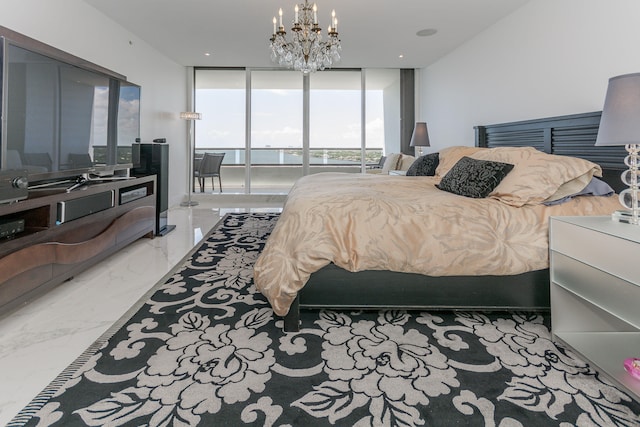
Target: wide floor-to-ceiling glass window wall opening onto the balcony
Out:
[278,125]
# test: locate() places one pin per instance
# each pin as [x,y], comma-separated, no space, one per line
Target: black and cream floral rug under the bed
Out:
[205,349]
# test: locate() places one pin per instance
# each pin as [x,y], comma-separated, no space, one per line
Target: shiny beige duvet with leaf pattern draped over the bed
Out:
[399,223]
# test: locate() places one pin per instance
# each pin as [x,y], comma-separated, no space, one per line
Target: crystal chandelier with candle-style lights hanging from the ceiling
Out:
[305,51]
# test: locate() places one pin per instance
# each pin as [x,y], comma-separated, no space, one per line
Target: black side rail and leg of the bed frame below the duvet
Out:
[335,288]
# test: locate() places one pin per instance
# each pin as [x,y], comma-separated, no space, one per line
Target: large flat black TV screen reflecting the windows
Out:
[61,120]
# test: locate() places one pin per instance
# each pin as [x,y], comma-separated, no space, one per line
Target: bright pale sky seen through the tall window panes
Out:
[276,119]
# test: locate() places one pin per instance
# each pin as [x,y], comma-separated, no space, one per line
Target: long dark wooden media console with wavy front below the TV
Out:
[56,243]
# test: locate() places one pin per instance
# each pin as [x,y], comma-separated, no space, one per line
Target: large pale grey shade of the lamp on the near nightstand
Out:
[620,122]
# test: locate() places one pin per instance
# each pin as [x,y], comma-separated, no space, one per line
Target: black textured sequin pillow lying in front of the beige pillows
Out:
[474,178]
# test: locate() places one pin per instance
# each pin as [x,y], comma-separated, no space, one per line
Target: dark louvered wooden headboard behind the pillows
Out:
[573,135]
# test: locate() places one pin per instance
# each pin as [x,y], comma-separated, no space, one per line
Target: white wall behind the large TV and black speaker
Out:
[79,29]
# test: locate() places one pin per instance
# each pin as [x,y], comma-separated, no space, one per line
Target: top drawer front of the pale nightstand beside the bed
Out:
[603,251]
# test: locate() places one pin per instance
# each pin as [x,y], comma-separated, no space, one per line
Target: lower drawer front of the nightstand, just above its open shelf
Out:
[608,292]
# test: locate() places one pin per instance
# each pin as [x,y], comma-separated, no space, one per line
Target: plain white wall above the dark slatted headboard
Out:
[549,58]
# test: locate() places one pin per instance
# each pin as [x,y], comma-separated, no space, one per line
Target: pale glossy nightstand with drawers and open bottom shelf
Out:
[595,292]
